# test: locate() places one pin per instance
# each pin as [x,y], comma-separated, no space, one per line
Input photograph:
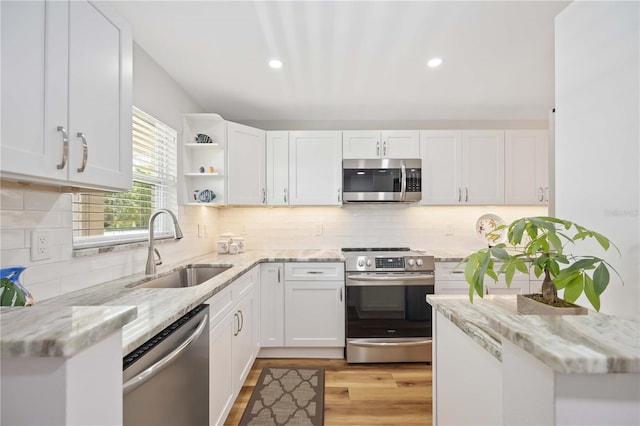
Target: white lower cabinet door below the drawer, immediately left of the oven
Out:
[314,313]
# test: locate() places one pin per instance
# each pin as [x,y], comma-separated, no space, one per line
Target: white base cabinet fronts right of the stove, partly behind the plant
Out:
[450,280]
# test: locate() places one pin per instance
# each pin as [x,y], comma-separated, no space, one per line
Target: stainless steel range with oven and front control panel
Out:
[388,317]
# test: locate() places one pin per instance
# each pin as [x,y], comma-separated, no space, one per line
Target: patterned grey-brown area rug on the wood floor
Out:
[286,396]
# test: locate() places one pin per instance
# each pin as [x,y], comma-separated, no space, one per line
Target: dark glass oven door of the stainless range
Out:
[388,311]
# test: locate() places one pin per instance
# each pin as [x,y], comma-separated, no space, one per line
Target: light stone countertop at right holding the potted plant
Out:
[595,343]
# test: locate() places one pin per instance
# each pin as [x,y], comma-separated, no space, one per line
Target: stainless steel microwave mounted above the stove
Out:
[381,180]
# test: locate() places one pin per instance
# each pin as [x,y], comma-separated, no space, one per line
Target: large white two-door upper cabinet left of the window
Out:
[66,94]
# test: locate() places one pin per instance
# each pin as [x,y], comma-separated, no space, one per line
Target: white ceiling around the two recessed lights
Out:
[362,60]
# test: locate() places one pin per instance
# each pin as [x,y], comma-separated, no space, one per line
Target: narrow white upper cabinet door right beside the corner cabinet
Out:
[278,168]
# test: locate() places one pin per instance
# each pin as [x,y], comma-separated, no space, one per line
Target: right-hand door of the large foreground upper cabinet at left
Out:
[100,97]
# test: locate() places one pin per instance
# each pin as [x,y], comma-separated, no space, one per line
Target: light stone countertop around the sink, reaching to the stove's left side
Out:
[67,324]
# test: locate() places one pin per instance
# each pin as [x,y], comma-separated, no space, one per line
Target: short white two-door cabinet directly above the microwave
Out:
[365,144]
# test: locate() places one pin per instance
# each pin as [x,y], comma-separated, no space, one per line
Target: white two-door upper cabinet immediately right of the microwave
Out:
[463,167]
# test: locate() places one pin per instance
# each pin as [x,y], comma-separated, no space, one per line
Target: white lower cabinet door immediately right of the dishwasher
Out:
[221,360]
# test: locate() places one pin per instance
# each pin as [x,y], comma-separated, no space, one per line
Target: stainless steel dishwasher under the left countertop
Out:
[166,380]
